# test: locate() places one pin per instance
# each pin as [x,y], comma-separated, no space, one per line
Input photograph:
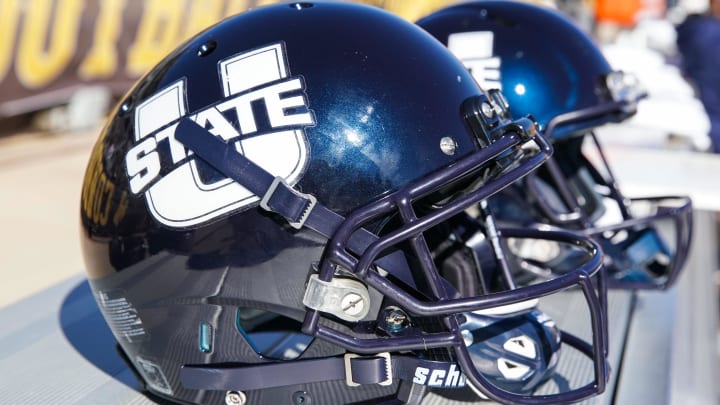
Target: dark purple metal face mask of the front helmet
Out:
[443,302]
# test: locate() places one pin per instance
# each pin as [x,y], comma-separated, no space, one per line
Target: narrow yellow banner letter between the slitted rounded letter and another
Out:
[101,60]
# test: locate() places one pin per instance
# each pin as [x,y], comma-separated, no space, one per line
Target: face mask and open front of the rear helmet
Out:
[645,240]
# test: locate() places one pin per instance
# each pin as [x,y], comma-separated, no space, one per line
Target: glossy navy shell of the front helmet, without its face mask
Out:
[175,268]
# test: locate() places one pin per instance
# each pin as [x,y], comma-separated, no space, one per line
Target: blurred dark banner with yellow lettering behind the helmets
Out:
[50,48]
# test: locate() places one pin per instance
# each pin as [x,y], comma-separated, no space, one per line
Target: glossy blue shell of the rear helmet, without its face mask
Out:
[544,64]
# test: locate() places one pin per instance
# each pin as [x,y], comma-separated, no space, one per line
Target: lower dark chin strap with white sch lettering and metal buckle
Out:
[356,370]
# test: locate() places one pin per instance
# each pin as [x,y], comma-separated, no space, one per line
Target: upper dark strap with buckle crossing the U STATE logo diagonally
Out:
[276,196]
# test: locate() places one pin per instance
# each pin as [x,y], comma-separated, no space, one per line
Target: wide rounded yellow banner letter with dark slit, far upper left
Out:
[37,65]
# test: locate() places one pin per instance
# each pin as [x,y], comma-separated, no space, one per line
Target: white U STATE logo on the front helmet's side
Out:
[264,114]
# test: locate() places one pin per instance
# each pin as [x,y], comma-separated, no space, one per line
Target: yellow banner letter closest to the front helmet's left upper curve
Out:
[158,33]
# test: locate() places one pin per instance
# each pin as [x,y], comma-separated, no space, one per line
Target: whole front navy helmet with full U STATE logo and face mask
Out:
[277,212]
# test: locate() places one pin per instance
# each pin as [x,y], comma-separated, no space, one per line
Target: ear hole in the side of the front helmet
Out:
[272,335]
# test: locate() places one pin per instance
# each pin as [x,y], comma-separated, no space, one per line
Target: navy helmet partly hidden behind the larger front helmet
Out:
[549,68]
